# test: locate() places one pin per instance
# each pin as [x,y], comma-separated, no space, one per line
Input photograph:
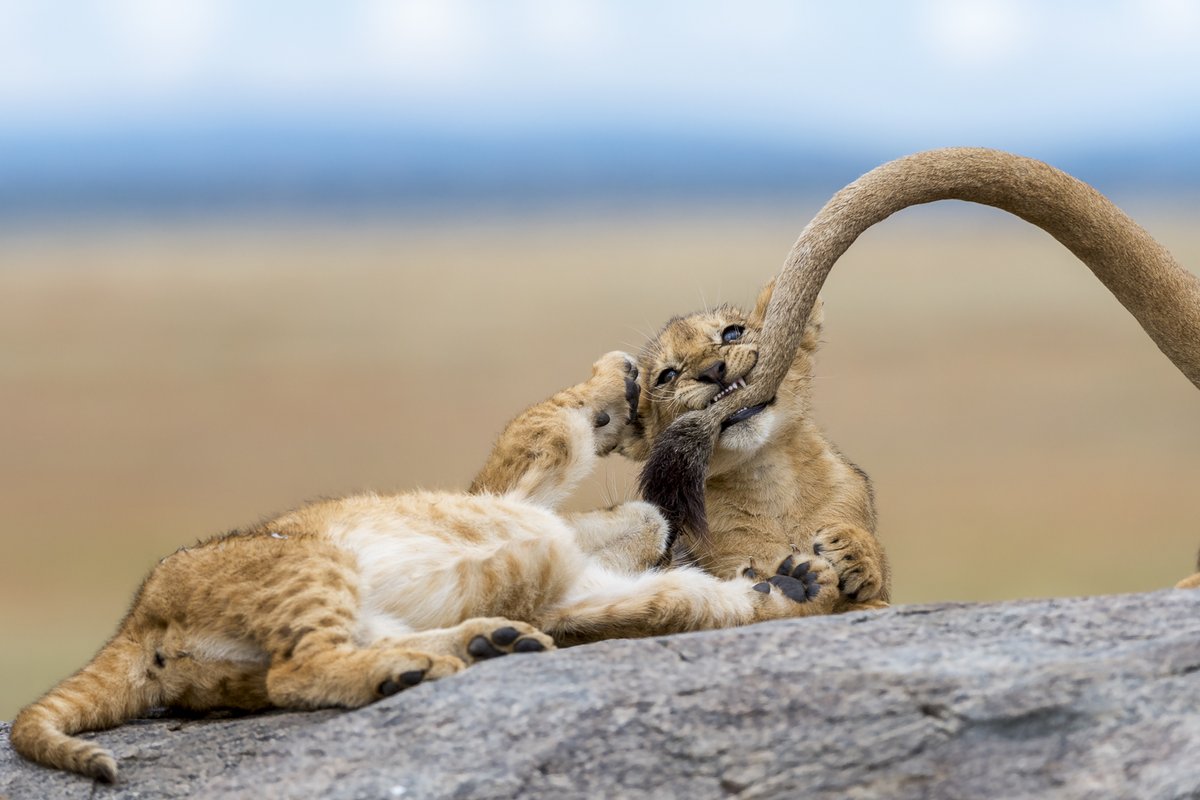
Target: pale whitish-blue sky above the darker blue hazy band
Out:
[1015,74]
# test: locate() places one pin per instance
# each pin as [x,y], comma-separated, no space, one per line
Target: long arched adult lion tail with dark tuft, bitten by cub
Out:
[1142,274]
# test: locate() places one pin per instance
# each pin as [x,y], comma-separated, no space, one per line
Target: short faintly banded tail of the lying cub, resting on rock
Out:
[112,689]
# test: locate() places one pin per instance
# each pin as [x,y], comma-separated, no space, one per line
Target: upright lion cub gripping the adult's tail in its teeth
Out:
[777,490]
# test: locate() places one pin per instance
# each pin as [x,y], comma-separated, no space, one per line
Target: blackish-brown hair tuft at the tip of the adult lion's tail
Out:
[674,477]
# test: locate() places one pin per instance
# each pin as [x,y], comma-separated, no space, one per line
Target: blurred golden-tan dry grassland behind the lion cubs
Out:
[1025,437]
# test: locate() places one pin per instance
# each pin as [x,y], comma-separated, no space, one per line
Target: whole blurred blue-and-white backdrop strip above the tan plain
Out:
[137,107]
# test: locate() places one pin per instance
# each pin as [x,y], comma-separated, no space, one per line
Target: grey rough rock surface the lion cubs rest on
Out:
[1064,699]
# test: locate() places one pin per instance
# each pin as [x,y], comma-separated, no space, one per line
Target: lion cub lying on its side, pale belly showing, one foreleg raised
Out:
[346,601]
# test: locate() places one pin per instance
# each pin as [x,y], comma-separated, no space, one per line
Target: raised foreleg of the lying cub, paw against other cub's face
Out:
[548,450]
